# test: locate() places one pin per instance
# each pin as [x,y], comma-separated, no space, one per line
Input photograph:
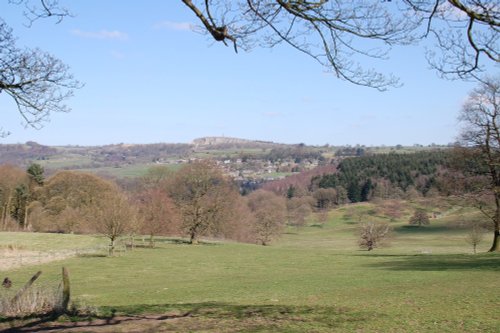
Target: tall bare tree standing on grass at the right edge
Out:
[481,132]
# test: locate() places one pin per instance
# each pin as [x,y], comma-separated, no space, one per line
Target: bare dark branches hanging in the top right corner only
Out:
[466,34]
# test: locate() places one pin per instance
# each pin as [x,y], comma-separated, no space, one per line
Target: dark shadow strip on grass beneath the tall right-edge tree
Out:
[440,262]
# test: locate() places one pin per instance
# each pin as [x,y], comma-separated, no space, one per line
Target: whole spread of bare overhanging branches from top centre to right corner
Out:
[336,33]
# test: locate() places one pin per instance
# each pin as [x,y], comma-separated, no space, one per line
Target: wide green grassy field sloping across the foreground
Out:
[314,279]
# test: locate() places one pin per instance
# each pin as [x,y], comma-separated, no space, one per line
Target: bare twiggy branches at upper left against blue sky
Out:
[38,82]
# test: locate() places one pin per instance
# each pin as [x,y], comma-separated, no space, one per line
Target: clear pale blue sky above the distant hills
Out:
[149,78]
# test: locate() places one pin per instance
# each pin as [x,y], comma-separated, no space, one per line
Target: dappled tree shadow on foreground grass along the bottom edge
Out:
[207,317]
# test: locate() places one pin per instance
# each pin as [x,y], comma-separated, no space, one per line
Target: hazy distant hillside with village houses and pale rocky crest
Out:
[242,158]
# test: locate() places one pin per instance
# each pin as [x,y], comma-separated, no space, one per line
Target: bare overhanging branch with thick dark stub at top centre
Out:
[333,33]
